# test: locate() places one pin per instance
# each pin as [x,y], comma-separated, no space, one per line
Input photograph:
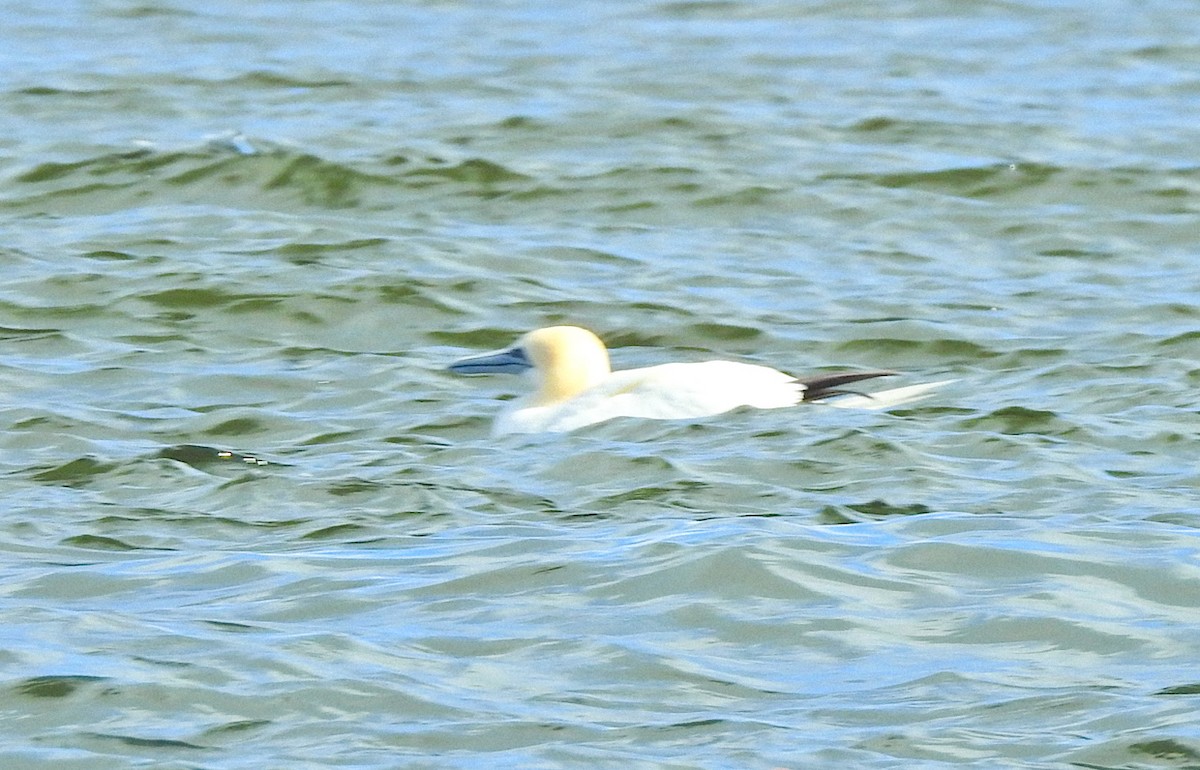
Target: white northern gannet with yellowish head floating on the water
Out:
[577,386]
